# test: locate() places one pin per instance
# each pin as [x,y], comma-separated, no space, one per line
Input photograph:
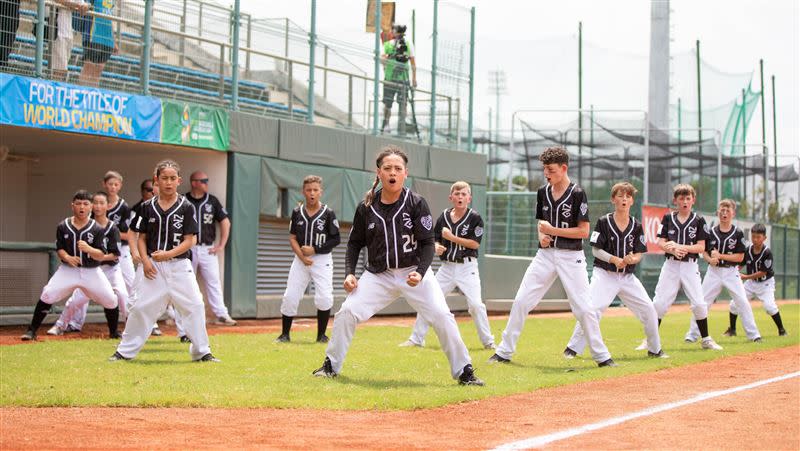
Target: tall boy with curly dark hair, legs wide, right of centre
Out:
[563,213]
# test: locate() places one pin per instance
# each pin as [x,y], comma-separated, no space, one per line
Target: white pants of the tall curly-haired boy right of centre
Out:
[570,267]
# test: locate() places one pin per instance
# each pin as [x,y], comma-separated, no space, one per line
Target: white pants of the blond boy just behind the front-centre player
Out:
[466,277]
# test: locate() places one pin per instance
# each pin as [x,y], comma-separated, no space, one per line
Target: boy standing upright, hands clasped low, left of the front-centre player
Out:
[313,233]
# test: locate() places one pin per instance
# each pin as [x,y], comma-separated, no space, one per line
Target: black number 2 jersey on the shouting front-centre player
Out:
[398,235]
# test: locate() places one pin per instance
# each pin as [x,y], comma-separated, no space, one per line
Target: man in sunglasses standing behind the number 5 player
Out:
[204,253]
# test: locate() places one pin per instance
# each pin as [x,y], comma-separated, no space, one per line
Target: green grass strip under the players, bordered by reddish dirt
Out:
[377,374]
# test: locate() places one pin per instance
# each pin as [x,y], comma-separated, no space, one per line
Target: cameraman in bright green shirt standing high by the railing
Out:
[398,53]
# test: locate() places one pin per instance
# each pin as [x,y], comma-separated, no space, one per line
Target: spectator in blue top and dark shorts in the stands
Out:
[98,42]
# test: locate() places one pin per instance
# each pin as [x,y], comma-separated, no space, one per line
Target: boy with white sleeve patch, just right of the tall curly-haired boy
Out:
[618,244]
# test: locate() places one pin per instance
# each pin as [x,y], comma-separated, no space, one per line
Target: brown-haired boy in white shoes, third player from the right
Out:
[682,235]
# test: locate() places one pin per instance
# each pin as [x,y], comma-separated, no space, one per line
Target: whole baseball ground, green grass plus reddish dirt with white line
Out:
[263,394]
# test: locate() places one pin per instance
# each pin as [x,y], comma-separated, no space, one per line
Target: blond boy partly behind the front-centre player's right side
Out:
[458,234]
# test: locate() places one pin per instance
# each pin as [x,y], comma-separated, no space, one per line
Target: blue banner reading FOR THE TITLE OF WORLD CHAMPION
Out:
[33,102]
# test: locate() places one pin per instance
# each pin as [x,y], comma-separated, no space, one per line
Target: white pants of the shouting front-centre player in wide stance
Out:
[376,291]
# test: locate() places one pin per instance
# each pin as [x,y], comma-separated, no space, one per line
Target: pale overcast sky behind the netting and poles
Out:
[535,43]
